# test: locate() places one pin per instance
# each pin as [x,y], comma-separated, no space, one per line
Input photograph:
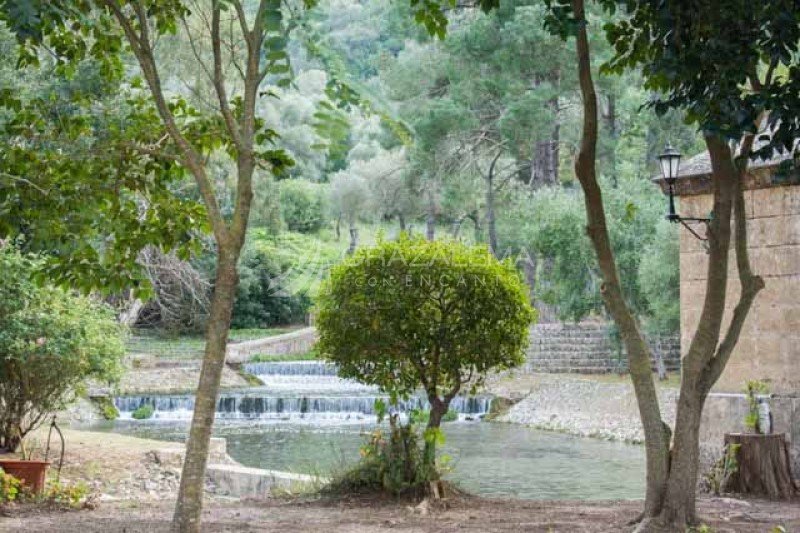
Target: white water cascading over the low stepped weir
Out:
[293,390]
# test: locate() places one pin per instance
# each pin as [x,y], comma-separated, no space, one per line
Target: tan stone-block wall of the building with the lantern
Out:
[769,346]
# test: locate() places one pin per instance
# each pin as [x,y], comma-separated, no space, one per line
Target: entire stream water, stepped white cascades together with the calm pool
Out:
[305,419]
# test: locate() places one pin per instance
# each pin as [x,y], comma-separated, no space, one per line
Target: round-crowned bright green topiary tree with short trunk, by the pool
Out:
[415,314]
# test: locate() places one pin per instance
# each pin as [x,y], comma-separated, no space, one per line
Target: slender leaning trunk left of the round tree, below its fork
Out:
[190,495]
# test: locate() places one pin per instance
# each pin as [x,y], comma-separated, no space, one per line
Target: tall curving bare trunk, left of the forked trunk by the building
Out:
[656,431]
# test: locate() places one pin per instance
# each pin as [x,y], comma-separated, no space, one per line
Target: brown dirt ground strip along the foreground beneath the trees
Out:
[359,515]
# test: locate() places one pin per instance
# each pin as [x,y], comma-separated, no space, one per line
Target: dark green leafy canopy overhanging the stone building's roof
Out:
[698,57]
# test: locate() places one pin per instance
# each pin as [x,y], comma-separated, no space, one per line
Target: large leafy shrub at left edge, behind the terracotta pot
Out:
[50,340]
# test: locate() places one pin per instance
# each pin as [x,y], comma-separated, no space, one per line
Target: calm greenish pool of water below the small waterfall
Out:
[489,459]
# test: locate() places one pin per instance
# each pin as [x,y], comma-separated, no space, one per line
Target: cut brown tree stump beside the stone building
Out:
[764,468]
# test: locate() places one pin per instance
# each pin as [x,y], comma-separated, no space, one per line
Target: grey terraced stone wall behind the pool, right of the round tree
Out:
[586,348]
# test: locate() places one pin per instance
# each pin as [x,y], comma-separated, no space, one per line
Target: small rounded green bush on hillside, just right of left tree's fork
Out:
[302,205]
